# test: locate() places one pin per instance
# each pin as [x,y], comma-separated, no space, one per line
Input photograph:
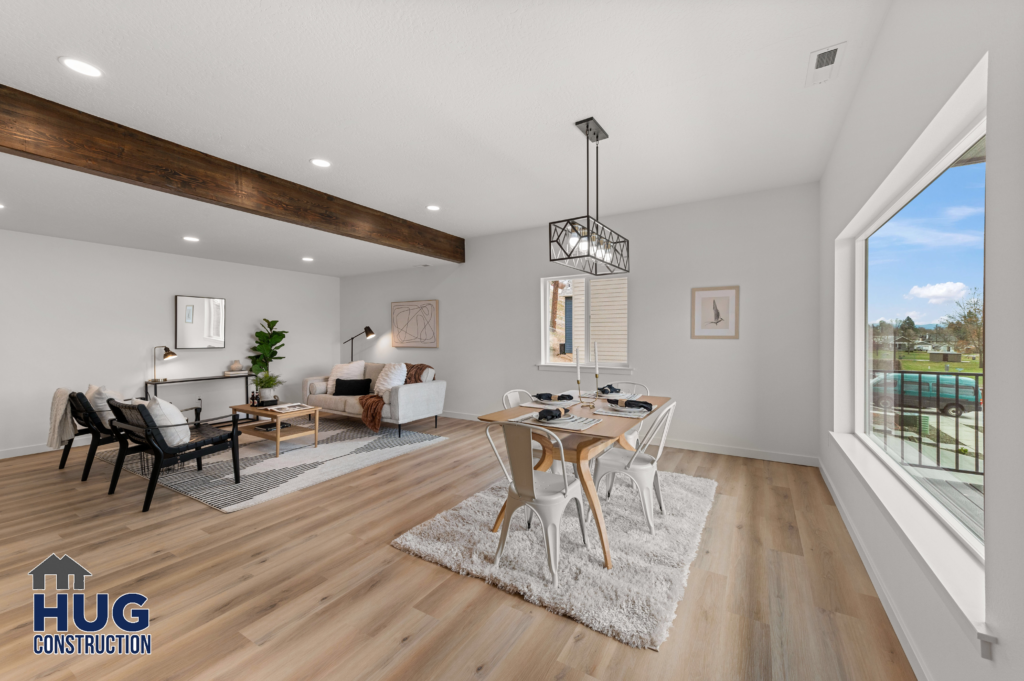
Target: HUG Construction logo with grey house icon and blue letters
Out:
[88,641]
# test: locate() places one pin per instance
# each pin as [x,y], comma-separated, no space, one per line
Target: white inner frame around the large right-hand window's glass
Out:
[861,360]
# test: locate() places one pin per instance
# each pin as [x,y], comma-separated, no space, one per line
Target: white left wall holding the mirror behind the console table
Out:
[76,314]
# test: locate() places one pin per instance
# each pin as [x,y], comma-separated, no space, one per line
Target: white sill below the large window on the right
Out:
[955,564]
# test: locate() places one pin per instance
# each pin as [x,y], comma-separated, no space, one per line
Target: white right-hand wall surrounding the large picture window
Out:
[924,53]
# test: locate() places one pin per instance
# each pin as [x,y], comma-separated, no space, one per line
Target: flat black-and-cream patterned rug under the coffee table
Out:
[345,448]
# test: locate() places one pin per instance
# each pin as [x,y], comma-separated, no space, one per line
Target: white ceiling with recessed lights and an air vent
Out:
[466,105]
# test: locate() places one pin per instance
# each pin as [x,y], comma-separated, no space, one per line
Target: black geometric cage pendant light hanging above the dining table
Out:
[584,243]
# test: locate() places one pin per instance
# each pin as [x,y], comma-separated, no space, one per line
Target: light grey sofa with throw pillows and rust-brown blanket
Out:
[404,404]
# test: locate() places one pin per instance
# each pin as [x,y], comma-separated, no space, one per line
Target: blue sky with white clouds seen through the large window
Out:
[932,252]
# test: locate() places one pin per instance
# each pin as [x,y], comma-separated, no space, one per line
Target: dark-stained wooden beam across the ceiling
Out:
[44,131]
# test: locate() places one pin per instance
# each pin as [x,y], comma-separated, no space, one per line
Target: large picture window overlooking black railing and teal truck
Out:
[926,338]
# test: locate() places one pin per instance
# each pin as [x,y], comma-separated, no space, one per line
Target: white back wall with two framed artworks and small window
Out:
[746,397]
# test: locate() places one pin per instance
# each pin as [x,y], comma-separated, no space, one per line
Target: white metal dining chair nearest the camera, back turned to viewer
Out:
[543,493]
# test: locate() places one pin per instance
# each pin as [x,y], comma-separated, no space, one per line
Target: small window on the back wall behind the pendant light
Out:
[580,313]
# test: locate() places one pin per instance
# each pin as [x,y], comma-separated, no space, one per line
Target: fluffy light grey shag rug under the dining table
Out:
[634,603]
